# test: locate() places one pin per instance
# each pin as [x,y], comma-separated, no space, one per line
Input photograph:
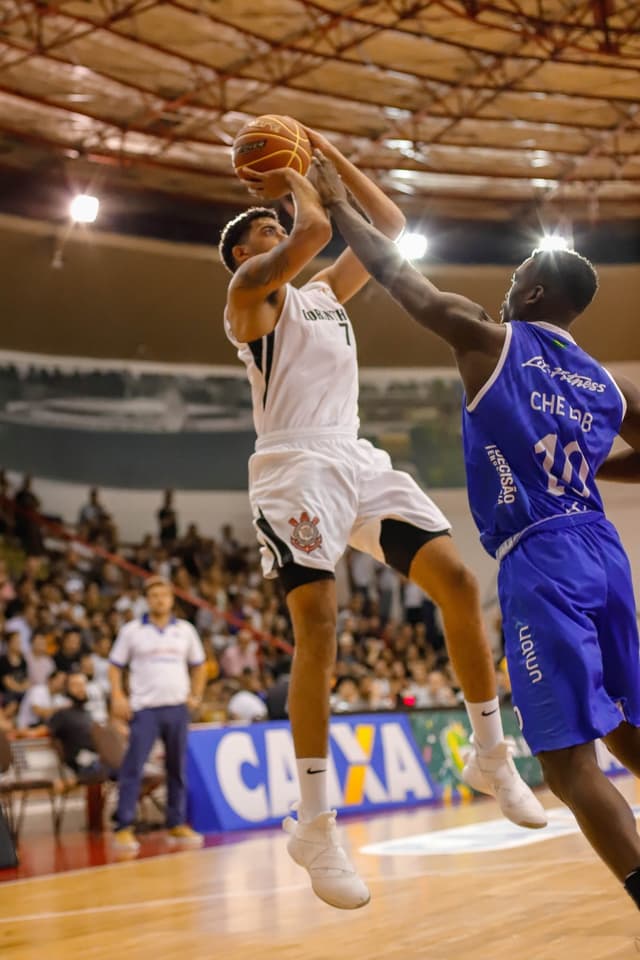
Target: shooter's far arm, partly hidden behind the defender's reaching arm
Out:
[348,275]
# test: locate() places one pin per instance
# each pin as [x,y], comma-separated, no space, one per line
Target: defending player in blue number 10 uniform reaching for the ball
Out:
[539,420]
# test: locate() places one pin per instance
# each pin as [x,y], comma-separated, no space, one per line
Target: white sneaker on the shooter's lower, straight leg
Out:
[315,847]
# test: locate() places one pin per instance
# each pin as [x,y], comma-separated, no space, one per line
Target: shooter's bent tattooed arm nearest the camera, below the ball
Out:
[250,313]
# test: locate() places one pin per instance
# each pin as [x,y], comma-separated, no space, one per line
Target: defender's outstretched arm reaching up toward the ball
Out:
[463,324]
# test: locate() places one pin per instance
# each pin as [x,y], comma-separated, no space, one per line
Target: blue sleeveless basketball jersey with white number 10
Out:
[537,433]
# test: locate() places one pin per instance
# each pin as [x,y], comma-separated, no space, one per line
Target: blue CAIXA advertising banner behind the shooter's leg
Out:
[243,777]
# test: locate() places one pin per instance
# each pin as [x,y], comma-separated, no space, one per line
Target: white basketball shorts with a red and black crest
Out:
[312,497]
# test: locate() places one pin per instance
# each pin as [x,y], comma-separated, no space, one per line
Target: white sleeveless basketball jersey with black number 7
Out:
[304,374]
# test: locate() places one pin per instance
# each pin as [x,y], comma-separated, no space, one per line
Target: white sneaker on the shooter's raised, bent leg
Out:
[494,772]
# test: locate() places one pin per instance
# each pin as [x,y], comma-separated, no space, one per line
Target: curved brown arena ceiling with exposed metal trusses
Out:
[476,109]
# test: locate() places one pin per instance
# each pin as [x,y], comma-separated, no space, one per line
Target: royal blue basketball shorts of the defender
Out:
[571,635]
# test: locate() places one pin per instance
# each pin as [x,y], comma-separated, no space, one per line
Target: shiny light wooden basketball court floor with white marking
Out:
[492,900]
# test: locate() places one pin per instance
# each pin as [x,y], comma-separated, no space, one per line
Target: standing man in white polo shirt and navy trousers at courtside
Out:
[167,674]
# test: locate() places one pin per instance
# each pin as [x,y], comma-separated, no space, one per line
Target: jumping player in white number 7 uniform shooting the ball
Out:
[315,487]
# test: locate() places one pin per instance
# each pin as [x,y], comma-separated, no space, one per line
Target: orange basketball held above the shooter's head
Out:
[269,143]
